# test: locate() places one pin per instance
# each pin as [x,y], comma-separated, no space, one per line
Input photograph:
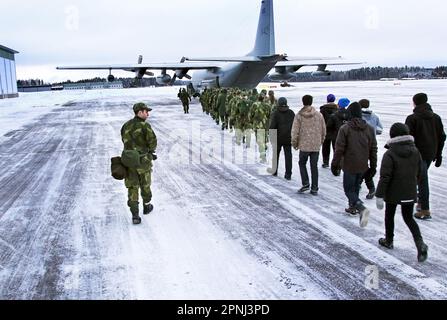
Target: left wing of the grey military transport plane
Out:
[152,66]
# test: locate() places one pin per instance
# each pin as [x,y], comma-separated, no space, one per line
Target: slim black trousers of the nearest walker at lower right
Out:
[407,214]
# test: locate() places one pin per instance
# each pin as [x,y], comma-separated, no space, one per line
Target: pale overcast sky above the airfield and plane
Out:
[380,32]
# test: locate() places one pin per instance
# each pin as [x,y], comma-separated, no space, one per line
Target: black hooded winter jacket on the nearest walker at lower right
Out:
[400,171]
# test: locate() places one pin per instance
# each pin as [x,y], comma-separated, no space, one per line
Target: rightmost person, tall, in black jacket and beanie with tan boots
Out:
[428,131]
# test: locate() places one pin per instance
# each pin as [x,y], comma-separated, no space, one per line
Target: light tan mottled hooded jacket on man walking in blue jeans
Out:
[309,130]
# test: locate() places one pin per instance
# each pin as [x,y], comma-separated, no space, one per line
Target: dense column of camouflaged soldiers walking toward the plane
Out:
[244,111]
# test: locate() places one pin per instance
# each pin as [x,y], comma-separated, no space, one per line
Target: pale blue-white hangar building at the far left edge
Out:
[8,77]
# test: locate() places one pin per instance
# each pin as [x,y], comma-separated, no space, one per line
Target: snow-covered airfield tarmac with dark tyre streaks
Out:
[222,227]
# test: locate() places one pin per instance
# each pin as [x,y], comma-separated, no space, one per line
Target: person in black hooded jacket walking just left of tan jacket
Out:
[281,122]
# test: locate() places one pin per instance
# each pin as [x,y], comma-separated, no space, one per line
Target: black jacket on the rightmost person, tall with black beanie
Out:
[428,131]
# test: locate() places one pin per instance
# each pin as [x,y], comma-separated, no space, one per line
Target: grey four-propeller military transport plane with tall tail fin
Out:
[241,72]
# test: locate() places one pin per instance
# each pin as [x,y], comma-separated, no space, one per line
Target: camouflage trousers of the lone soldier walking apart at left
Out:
[138,180]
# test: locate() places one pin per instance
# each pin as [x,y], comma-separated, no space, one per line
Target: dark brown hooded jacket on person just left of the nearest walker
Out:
[356,144]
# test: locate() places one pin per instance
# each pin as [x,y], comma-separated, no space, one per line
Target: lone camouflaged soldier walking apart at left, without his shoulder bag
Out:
[137,134]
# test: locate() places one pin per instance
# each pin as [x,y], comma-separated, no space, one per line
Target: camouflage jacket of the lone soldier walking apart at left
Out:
[137,134]
